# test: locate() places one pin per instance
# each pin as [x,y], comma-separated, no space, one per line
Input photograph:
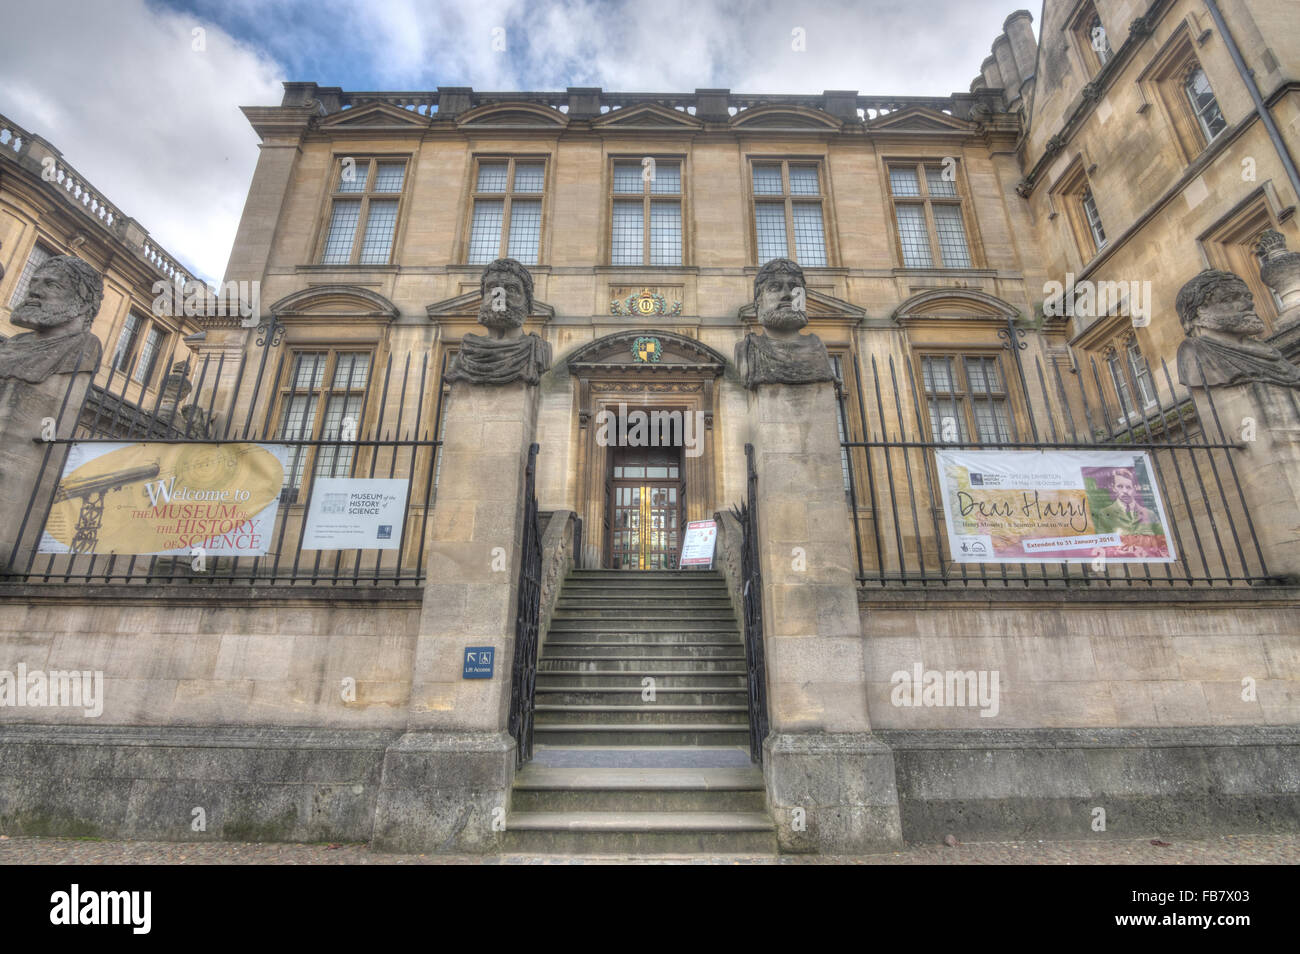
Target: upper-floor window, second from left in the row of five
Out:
[508,211]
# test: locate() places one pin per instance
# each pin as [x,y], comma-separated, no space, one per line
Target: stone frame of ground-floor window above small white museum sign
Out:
[304,461]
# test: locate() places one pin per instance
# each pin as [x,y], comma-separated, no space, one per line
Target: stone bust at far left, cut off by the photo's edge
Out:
[62,303]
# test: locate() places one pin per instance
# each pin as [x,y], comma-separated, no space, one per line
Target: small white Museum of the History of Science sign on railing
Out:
[356,514]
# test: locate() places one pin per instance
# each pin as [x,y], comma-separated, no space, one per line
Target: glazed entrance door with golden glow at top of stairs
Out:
[645,509]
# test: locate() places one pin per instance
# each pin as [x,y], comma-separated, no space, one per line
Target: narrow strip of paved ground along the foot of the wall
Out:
[1237,849]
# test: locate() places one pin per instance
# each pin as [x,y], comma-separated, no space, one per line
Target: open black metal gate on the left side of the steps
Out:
[523,686]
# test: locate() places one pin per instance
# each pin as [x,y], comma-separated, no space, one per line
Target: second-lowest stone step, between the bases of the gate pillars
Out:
[543,788]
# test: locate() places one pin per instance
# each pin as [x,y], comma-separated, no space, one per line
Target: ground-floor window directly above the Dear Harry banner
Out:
[967,394]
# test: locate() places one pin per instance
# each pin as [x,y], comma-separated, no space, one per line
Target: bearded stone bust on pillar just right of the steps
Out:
[782,355]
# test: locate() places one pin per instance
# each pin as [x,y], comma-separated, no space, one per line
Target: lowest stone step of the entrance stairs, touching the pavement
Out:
[652,832]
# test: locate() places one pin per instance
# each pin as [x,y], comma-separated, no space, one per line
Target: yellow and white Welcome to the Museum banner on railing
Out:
[167,500]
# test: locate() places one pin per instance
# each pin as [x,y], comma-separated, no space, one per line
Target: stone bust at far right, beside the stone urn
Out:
[1217,313]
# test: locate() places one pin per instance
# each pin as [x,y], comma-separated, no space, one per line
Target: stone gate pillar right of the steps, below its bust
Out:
[830,783]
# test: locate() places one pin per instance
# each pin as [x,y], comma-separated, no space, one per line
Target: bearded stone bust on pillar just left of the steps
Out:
[506,354]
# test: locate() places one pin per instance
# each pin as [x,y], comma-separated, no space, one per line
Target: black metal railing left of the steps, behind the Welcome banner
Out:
[376,426]
